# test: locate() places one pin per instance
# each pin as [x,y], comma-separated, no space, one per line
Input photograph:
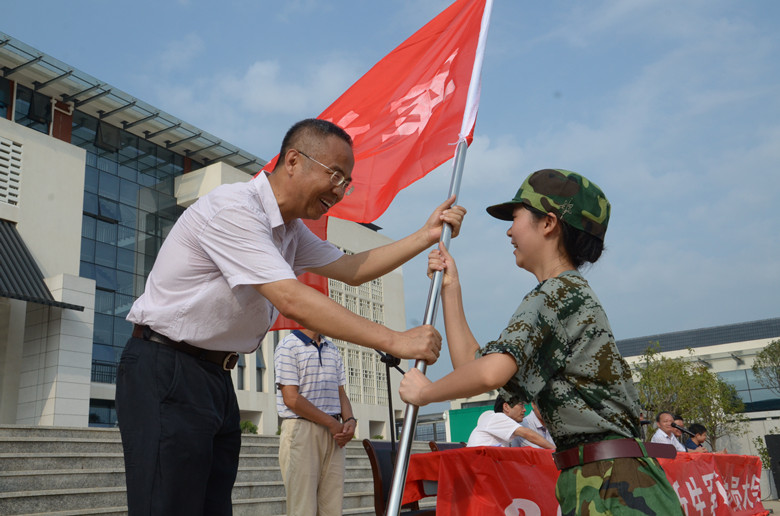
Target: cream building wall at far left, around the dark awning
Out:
[46,351]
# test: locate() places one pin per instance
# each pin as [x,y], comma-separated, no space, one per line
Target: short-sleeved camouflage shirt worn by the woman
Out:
[569,364]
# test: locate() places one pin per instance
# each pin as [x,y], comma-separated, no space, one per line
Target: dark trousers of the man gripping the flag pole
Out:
[179,421]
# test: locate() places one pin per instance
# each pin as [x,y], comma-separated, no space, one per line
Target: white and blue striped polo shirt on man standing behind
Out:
[318,371]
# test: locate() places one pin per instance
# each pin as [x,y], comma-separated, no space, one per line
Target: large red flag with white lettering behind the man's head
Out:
[406,115]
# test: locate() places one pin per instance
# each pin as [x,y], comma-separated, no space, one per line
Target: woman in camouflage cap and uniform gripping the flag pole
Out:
[558,350]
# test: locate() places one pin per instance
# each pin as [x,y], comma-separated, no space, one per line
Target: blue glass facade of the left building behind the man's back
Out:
[129,209]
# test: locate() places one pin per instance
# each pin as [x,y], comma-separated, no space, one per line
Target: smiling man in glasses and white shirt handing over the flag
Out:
[225,271]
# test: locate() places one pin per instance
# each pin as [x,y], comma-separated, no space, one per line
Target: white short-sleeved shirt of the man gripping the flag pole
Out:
[200,289]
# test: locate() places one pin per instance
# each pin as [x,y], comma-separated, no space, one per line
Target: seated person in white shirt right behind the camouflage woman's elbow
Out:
[499,427]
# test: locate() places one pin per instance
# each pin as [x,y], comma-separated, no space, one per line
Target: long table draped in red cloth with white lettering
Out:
[521,481]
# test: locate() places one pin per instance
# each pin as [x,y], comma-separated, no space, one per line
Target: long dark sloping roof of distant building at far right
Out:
[740,332]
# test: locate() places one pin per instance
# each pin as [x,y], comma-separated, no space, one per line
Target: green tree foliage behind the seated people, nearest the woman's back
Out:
[687,387]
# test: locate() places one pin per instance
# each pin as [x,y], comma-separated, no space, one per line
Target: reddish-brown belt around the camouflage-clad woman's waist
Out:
[611,449]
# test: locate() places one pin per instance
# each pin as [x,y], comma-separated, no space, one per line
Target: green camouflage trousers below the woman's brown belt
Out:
[617,487]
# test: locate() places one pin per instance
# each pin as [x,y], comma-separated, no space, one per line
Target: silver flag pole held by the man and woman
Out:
[469,118]
